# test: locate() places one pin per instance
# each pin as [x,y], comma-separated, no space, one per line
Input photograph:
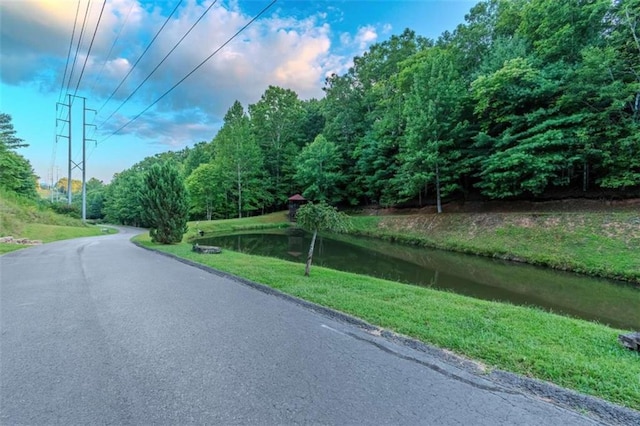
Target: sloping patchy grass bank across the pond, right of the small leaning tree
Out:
[598,244]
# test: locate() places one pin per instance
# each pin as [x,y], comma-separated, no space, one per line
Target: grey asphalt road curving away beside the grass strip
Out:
[99,331]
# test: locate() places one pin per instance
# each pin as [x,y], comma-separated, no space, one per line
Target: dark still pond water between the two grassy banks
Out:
[609,302]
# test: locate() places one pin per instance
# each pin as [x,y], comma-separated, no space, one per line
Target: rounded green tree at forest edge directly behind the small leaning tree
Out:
[319,171]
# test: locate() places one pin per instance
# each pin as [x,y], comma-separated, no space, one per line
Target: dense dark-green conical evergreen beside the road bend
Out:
[164,203]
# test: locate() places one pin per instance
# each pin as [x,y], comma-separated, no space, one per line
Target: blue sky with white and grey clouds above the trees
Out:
[295,45]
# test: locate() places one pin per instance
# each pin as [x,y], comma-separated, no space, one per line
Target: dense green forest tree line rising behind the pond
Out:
[526,98]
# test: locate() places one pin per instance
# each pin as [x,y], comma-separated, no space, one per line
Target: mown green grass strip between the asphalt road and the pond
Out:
[572,353]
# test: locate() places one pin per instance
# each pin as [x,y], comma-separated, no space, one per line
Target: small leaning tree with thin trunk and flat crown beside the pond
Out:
[319,217]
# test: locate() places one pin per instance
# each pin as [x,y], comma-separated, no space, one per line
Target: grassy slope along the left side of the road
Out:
[24,218]
